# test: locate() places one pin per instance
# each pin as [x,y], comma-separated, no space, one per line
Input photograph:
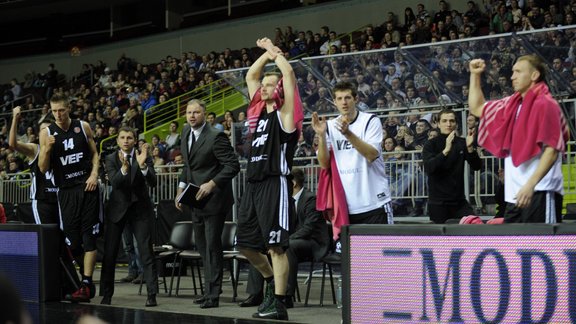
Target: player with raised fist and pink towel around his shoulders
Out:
[529,131]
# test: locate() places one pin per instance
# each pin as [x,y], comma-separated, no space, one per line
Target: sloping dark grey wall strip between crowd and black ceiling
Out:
[341,16]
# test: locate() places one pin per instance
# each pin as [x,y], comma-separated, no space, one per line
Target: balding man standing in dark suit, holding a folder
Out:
[210,163]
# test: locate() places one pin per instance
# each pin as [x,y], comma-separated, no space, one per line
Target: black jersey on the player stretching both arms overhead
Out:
[272,149]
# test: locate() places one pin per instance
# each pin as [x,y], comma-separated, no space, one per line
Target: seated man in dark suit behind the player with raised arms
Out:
[308,241]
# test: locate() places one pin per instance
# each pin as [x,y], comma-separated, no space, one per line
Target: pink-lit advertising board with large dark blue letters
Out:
[462,279]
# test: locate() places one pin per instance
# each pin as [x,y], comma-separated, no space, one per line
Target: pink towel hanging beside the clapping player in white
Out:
[331,199]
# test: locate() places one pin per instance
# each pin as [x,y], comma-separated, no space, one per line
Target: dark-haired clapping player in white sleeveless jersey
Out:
[354,138]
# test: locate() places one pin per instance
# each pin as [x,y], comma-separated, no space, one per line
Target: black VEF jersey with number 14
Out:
[70,159]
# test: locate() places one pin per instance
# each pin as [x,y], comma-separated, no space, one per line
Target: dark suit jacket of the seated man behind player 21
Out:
[310,225]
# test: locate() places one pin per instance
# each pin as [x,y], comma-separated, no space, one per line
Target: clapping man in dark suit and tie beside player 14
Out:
[130,174]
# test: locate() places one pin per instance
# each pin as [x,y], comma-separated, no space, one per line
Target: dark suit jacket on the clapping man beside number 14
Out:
[128,190]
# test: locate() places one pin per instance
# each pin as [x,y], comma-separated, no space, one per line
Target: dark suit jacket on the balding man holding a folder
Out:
[212,158]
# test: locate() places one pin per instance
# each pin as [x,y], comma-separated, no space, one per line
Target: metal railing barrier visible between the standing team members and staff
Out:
[407,180]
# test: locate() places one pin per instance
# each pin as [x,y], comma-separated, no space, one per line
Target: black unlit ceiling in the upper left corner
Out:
[44,26]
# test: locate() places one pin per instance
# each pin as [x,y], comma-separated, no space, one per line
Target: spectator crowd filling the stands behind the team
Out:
[398,85]
